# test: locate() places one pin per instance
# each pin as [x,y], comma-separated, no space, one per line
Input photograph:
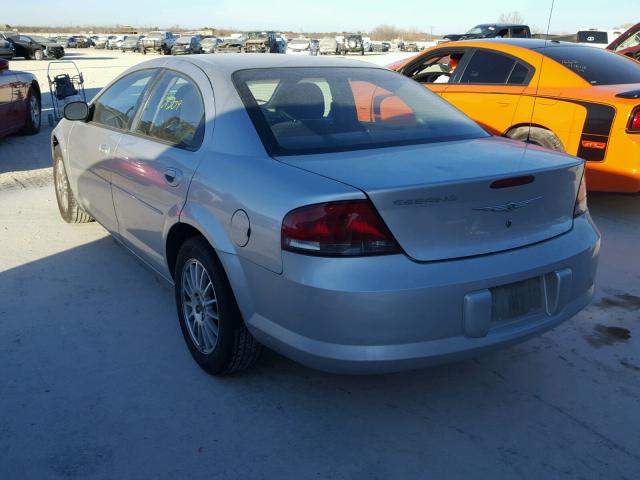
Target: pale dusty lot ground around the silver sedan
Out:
[96,382]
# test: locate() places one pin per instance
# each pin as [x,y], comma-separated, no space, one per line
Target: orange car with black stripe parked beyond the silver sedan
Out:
[564,96]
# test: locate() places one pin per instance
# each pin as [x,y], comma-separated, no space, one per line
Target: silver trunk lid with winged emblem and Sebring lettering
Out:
[448,200]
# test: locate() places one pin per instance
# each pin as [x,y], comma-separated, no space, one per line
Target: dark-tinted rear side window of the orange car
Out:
[493,68]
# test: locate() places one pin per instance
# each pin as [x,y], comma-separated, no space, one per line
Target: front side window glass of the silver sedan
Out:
[118,104]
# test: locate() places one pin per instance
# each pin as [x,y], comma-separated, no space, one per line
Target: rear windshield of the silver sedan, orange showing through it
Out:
[314,110]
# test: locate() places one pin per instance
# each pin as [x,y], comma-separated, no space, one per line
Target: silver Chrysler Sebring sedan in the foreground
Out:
[331,210]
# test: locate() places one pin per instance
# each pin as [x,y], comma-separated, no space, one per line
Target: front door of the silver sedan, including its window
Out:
[93,144]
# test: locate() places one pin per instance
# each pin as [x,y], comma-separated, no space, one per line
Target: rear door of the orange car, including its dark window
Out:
[488,88]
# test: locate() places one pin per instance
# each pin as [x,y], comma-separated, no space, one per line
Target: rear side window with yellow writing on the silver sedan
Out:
[174,112]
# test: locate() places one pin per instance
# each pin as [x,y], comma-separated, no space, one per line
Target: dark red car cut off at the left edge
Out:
[20,101]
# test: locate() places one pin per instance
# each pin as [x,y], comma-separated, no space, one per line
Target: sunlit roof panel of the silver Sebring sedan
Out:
[232,63]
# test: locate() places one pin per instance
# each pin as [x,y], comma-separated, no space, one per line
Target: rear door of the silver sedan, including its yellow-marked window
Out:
[157,159]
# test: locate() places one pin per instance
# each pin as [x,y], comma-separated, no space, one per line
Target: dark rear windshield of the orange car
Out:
[596,66]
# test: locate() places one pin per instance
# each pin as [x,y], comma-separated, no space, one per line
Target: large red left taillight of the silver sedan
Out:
[337,229]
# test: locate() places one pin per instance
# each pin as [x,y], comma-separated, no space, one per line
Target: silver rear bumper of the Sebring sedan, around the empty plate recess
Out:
[388,313]
